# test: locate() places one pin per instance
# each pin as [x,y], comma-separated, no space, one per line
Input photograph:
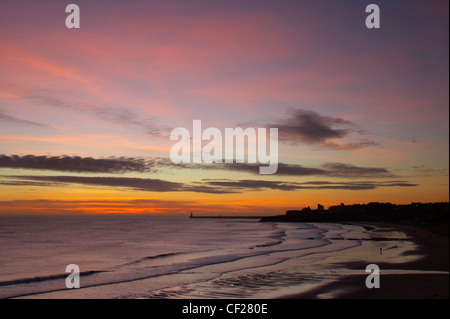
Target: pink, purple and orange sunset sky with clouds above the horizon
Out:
[86,114]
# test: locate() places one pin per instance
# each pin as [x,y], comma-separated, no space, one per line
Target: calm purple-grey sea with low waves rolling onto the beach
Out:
[158,257]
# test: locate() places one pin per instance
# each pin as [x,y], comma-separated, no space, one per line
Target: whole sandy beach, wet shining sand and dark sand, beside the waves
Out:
[412,263]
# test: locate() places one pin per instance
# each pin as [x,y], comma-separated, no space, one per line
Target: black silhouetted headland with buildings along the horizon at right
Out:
[373,212]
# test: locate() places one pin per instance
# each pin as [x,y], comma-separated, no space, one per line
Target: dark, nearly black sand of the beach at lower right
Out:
[423,278]
